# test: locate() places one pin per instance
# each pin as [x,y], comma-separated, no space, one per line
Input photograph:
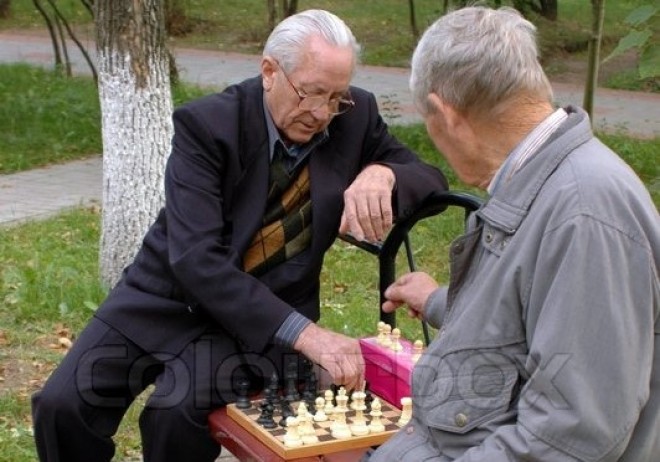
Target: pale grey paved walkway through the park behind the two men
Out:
[42,192]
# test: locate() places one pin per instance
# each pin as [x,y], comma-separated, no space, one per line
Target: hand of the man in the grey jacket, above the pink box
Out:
[413,290]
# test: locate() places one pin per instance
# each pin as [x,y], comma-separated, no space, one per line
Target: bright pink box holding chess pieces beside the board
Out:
[387,372]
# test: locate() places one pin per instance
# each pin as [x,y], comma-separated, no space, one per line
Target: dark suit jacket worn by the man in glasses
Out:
[187,276]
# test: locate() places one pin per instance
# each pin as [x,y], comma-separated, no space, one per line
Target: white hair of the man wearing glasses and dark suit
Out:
[291,36]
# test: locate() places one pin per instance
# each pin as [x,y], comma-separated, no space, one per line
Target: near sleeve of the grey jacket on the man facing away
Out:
[590,324]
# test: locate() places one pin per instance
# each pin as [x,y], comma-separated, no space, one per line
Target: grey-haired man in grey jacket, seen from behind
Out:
[548,346]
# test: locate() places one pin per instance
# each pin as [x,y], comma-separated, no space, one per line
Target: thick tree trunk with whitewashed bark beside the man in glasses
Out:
[136,105]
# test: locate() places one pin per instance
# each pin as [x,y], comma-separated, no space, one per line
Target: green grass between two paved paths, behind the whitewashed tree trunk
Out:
[48,118]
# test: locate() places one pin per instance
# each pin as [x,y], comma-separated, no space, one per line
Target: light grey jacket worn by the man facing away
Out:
[549,346]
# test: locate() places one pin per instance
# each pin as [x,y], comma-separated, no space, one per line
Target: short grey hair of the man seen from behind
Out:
[476,58]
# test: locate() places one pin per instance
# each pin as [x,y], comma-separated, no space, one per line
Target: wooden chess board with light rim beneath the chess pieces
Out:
[326,444]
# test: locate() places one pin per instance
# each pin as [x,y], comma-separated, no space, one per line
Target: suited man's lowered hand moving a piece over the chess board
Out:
[339,355]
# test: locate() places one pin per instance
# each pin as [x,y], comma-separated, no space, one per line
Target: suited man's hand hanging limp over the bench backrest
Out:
[368,204]
